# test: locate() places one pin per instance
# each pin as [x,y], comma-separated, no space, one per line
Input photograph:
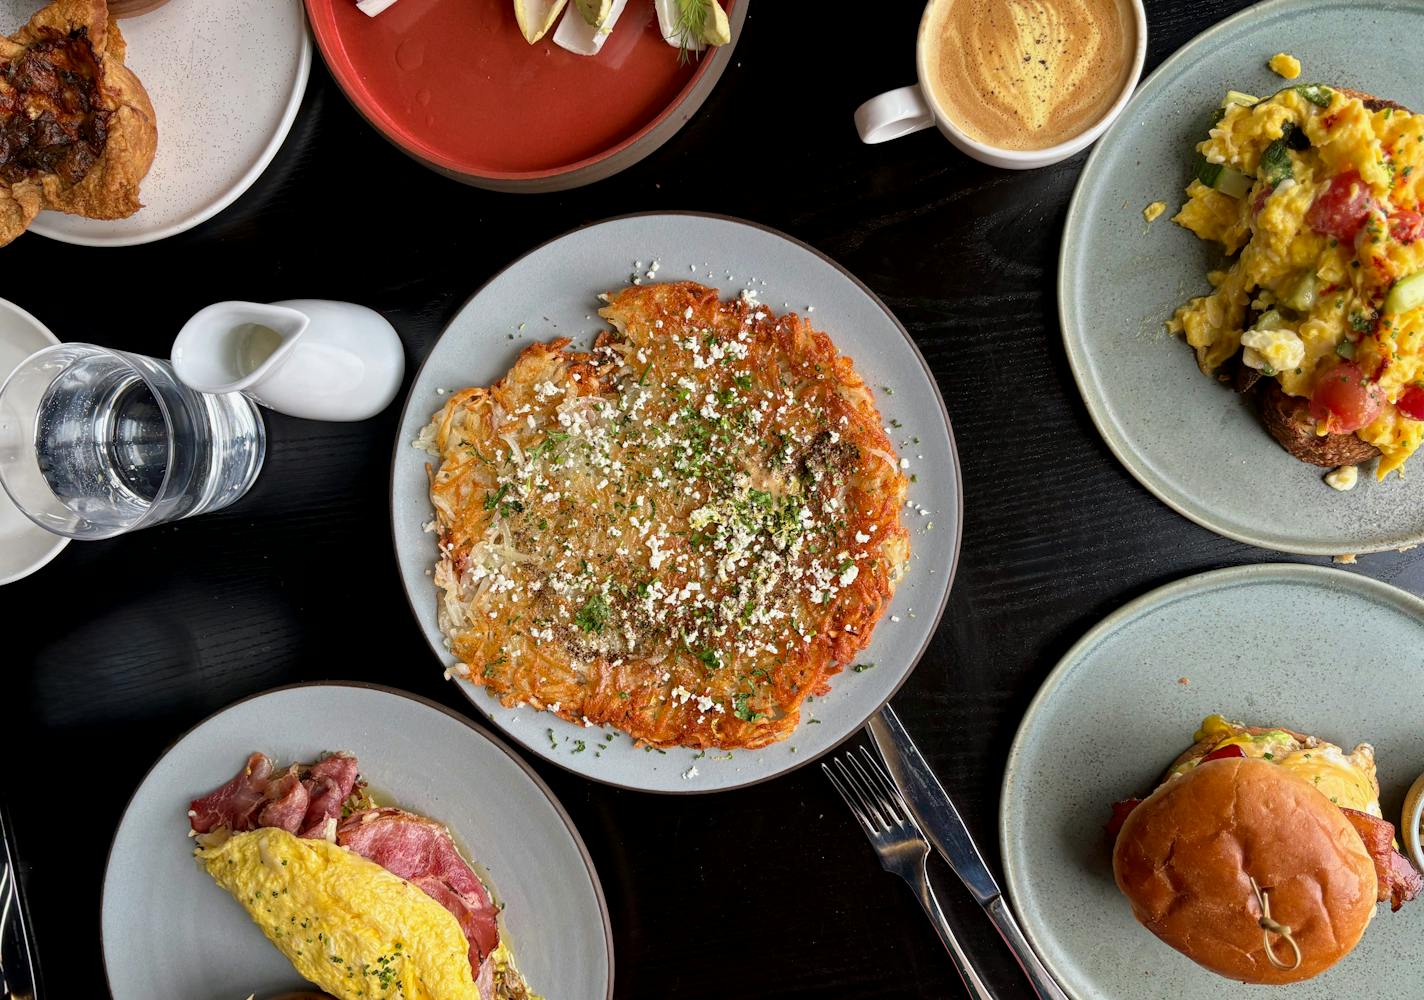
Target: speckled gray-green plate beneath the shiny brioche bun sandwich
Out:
[1319,650]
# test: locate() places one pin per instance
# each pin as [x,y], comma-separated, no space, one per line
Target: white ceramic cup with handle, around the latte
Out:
[912,109]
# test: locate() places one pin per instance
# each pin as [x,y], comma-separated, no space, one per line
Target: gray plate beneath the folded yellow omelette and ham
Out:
[172,934]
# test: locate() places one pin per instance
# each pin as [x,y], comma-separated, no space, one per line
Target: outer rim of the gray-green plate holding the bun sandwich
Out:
[1168,593]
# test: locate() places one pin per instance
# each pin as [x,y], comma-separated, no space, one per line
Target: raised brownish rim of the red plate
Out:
[603,165]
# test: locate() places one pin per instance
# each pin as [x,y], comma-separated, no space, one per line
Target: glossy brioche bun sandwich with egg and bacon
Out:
[1262,855]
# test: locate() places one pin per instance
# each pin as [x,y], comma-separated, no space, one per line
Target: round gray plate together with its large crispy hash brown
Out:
[701,555]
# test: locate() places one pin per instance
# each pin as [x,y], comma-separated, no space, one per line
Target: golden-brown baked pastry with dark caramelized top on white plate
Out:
[78,130]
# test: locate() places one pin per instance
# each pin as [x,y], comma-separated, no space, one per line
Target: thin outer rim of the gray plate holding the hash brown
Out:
[949,429]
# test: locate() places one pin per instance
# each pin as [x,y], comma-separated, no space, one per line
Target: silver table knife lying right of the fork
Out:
[942,825]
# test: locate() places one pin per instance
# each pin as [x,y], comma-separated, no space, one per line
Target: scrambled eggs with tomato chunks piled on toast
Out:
[1319,313]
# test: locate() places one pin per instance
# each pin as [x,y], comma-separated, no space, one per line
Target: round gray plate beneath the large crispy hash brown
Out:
[552,293]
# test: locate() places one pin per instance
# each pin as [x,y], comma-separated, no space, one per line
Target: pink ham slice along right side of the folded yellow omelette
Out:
[422,853]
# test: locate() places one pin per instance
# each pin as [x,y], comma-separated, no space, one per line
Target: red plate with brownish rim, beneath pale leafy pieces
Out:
[455,85]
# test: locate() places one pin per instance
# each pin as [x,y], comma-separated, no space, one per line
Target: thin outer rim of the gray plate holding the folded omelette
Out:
[384,689]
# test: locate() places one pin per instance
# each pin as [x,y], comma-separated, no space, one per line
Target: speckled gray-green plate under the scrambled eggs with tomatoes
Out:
[1187,438]
